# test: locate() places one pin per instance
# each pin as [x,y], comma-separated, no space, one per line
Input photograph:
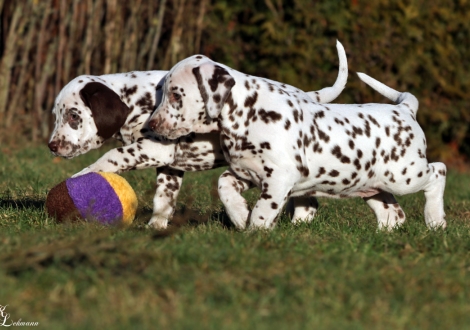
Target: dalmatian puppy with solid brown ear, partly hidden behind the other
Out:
[92,109]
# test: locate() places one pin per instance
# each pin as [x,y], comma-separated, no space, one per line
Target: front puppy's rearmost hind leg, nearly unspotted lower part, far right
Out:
[434,194]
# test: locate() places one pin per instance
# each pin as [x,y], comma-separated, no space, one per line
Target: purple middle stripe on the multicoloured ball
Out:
[94,198]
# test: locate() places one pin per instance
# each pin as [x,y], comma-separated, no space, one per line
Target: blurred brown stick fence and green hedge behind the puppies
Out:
[420,46]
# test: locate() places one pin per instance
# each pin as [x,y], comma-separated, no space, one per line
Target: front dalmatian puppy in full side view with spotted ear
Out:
[275,137]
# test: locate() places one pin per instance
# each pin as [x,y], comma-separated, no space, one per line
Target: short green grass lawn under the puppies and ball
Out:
[337,272]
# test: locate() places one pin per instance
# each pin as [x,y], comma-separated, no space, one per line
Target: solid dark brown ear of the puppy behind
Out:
[109,112]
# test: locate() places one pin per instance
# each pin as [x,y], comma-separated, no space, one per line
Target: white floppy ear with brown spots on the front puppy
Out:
[215,84]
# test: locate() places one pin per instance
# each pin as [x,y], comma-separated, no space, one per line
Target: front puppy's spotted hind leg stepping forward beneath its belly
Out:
[387,210]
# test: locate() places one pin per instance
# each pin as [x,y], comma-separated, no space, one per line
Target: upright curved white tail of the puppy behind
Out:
[328,94]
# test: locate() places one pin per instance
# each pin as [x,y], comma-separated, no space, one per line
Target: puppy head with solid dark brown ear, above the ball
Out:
[87,112]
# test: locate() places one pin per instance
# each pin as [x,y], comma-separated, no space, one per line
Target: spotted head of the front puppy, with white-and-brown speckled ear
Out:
[194,93]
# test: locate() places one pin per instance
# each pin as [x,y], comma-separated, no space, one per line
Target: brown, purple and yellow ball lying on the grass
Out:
[104,197]
